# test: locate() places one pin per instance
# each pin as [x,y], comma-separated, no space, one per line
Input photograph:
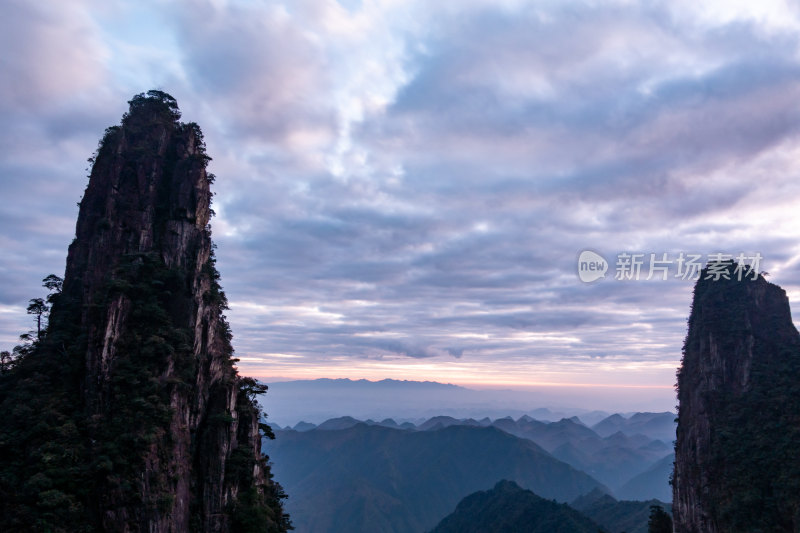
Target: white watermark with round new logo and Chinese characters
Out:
[665,265]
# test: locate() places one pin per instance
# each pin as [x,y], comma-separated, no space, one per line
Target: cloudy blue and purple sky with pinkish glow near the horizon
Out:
[404,188]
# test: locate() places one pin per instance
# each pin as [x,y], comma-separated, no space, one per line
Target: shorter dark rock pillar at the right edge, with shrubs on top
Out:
[736,459]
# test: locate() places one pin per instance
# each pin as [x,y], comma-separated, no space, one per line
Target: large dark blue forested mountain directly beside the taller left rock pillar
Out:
[371,478]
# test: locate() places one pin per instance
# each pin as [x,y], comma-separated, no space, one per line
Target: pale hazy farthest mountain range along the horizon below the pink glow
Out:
[289,402]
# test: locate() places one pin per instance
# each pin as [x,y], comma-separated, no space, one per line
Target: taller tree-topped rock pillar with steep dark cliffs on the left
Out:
[126,413]
